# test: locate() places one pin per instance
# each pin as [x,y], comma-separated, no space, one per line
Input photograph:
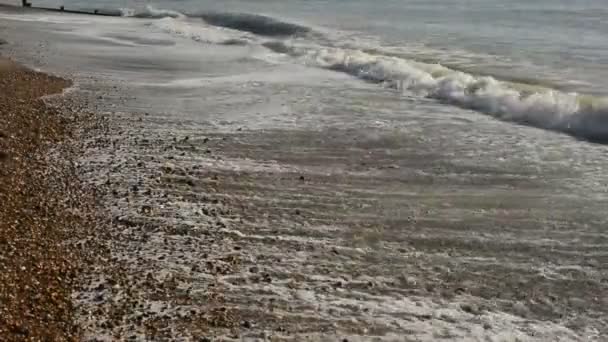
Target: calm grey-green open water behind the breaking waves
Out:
[558,41]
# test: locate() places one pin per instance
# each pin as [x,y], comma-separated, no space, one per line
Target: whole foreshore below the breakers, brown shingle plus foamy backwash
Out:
[220,192]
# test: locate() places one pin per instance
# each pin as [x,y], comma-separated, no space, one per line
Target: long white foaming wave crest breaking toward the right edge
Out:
[584,117]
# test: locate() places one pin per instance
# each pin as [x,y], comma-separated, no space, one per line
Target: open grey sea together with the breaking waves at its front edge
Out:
[541,63]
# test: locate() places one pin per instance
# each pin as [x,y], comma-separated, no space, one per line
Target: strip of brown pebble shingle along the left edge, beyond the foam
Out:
[38,265]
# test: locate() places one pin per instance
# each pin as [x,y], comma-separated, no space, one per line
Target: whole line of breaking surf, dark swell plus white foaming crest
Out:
[542,106]
